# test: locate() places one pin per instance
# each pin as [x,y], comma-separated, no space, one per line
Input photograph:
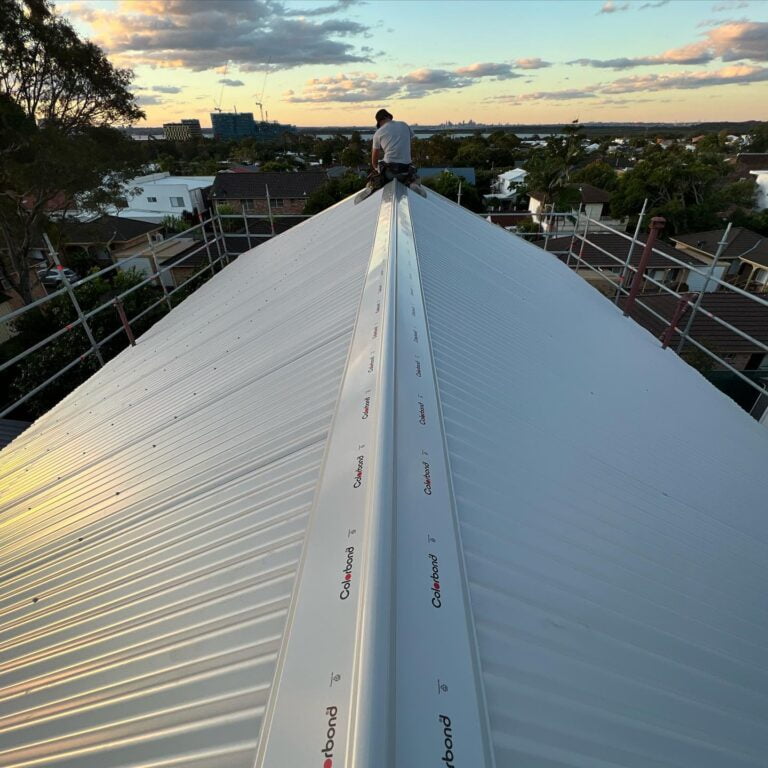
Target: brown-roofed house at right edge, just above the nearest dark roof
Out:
[744,257]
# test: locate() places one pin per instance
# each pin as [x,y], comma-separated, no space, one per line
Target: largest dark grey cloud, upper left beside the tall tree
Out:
[205,34]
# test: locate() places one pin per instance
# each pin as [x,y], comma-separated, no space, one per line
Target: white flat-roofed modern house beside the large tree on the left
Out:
[153,197]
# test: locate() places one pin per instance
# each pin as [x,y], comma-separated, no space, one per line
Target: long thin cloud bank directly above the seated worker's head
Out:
[362,87]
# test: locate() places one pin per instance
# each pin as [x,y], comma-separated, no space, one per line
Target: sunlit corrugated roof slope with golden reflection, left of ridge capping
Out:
[151,523]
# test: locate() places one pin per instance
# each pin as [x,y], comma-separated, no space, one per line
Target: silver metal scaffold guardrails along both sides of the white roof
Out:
[225,235]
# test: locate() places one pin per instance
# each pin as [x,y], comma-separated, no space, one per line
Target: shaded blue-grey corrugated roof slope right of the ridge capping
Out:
[612,512]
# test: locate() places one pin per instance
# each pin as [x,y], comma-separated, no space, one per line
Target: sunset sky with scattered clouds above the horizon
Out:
[335,62]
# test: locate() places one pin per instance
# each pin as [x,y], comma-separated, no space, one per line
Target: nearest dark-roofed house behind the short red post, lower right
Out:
[735,309]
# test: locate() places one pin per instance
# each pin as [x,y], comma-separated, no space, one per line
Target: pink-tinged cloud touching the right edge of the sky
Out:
[730,41]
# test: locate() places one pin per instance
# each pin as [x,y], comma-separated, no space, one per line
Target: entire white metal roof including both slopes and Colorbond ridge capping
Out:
[535,537]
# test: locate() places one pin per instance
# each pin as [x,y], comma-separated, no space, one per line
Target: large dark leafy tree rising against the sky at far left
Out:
[58,97]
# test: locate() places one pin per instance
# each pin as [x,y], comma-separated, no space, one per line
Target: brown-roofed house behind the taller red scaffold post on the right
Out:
[600,257]
